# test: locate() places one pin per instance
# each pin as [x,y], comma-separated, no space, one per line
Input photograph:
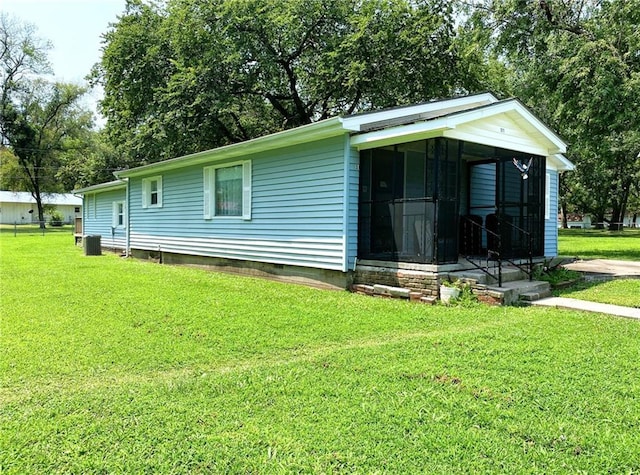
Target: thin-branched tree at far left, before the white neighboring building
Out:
[40,121]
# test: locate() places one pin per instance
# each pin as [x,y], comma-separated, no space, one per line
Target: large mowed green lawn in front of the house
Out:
[113,365]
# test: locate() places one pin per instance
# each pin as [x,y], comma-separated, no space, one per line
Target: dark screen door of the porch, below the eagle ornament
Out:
[520,204]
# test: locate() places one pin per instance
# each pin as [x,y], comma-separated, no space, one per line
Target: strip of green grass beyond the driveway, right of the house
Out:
[600,244]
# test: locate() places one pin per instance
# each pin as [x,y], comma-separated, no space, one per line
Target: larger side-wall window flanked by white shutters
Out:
[227,190]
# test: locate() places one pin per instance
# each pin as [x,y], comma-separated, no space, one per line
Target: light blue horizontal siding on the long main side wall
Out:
[296,214]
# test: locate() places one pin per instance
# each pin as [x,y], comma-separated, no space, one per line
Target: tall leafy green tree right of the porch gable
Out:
[577,64]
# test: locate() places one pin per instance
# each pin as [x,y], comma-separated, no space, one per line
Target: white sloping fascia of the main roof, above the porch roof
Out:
[355,123]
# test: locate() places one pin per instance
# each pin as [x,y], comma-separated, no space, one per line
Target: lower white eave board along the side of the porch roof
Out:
[400,134]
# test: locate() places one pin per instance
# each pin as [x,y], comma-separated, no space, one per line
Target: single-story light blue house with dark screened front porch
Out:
[389,195]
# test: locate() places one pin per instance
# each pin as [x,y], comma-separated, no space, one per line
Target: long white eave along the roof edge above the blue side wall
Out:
[307,133]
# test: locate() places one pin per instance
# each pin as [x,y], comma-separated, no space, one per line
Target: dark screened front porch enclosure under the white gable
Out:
[432,200]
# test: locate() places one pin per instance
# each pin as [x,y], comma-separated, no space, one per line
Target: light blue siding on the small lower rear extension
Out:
[98,217]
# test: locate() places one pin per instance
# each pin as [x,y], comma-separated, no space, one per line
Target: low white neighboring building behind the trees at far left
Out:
[19,207]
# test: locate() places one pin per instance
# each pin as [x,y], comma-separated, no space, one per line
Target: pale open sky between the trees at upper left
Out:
[74,27]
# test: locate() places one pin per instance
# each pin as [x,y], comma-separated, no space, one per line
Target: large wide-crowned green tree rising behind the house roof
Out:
[190,75]
